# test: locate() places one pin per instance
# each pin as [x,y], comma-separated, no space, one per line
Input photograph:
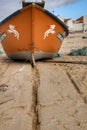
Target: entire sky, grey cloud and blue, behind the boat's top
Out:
[65,8]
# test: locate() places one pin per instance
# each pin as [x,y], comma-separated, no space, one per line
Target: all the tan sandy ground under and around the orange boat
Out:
[51,96]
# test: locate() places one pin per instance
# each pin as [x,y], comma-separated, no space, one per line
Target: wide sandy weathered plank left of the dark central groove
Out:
[15,96]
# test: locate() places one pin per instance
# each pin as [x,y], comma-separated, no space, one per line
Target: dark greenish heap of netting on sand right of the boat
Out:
[80,51]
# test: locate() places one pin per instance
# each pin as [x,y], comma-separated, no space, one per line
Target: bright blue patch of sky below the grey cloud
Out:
[72,10]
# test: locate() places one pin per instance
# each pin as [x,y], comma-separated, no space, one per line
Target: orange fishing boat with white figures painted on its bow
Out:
[32,33]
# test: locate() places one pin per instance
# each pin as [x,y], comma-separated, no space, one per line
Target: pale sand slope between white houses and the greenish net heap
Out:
[73,41]
